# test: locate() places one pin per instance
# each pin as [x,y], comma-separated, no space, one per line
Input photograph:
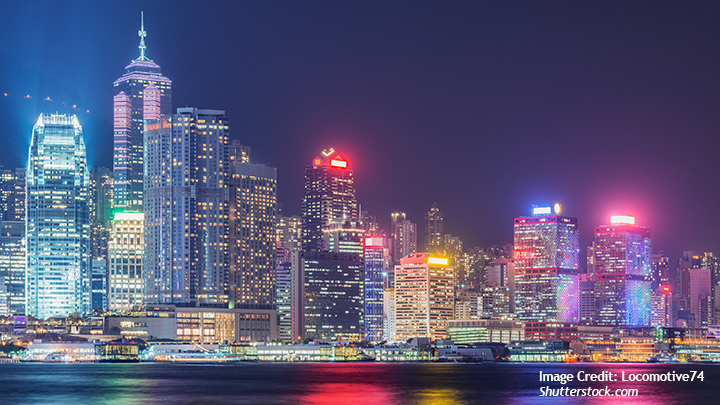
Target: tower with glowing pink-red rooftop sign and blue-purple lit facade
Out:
[622,273]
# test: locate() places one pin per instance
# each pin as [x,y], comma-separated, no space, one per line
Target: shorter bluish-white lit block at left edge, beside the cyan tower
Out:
[12,264]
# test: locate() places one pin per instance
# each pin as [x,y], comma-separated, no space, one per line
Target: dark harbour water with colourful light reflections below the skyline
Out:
[335,383]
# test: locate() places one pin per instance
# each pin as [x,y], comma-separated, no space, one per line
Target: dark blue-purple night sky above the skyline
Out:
[483,107]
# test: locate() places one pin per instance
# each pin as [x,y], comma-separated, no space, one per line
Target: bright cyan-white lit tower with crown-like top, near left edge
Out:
[58,227]
